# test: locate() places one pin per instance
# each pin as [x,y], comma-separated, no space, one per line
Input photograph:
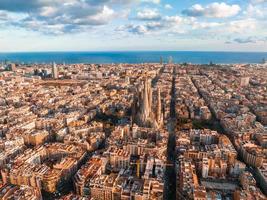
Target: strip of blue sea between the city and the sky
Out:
[195,57]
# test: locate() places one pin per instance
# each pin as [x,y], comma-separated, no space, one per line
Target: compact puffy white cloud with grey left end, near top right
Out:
[213,10]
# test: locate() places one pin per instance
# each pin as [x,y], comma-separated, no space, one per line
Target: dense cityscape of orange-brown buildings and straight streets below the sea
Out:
[133,131]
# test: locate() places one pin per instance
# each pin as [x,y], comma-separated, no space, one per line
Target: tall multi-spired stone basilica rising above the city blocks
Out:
[143,113]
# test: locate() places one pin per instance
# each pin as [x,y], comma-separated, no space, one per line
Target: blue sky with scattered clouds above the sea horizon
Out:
[128,25]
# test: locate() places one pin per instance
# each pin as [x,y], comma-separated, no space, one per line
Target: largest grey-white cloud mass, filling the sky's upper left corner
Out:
[53,15]
